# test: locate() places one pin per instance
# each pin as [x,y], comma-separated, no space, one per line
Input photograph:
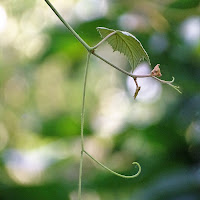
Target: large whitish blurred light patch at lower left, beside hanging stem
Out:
[27,167]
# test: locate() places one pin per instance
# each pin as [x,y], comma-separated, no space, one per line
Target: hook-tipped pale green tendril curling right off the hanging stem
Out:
[113,172]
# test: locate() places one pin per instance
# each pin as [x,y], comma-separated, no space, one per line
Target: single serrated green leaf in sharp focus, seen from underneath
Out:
[127,44]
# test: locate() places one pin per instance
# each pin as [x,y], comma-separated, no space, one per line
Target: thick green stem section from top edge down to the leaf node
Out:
[69,27]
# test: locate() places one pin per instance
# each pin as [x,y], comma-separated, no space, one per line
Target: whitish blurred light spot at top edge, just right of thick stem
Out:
[91,9]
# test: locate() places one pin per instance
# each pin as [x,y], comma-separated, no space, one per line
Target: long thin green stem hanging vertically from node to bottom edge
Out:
[82,126]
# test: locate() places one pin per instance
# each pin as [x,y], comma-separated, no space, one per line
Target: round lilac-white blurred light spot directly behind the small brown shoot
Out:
[150,88]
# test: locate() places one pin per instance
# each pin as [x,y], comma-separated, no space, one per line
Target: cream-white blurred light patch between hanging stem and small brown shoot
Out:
[112,113]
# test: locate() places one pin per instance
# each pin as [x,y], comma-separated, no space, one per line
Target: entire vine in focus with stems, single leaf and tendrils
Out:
[131,47]
